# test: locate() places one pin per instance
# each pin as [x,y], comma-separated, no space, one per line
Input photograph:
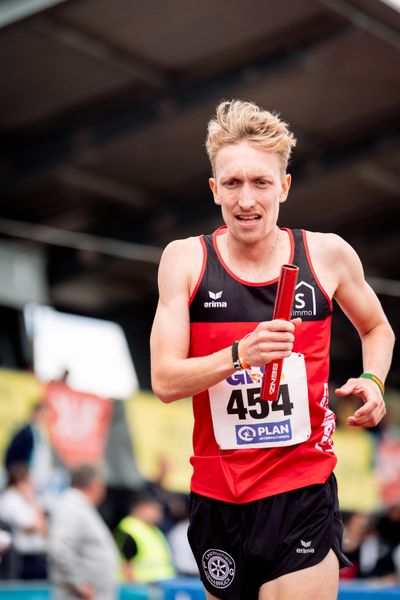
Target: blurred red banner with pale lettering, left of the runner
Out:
[79,423]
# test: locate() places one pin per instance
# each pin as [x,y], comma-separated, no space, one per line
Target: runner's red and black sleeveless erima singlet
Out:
[218,306]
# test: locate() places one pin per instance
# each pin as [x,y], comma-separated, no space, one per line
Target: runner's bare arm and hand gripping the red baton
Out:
[174,374]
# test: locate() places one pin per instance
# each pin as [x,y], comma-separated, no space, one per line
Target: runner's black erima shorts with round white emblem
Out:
[238,547]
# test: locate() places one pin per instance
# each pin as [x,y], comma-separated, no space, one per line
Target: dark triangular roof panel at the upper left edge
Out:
[40,77]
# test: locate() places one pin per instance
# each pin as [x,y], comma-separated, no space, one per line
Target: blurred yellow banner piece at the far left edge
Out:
[19,392]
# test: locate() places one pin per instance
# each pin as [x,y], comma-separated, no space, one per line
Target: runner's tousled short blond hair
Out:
[236,120]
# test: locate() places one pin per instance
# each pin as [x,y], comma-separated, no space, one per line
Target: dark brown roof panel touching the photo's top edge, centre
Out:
[174,33]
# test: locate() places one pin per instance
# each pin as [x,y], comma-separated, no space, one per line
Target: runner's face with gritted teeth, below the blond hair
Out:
[249,188]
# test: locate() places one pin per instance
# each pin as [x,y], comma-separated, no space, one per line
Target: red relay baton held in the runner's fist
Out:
[282,310]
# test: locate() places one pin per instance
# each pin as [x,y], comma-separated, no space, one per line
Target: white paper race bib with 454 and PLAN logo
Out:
[242,420]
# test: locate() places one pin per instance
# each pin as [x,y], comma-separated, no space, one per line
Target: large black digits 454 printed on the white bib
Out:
[248,401]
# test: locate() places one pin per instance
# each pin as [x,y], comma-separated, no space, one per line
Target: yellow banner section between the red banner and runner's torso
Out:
[162,438]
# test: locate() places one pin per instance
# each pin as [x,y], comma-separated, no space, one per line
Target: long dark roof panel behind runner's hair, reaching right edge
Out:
[322,110]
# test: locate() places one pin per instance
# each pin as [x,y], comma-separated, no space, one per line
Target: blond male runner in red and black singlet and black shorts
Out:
[264,512]
